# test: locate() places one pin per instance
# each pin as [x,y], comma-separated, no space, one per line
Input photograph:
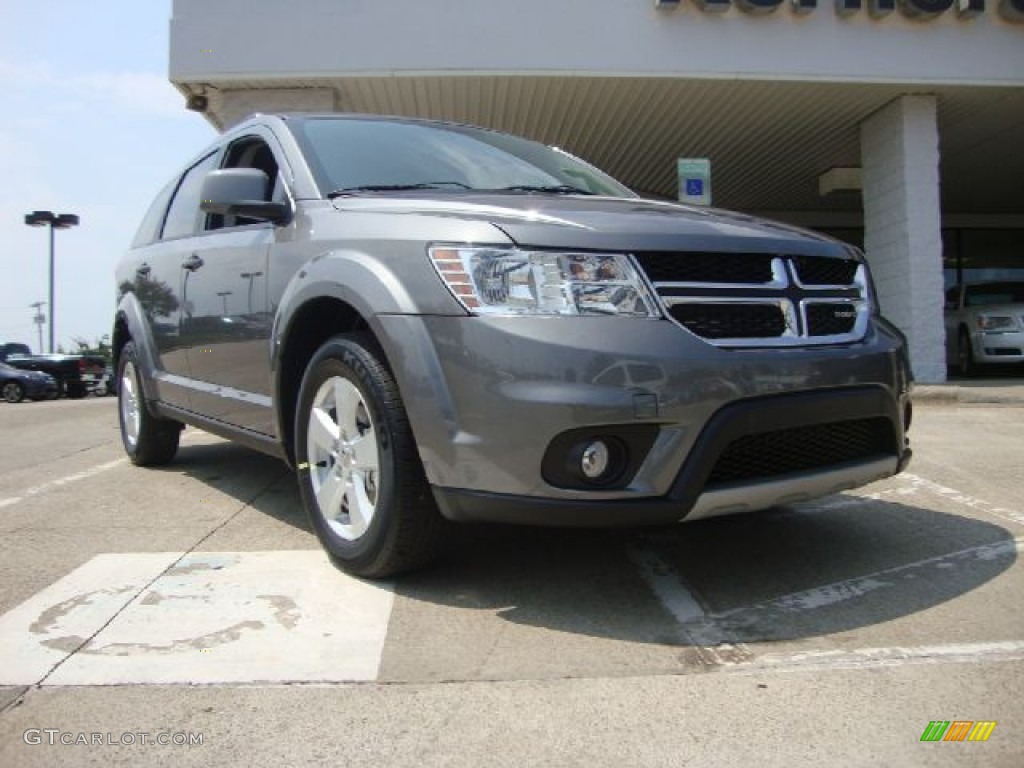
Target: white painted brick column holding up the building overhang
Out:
[900,147]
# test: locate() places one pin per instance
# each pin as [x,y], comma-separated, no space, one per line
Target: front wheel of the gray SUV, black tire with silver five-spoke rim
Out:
[360,473]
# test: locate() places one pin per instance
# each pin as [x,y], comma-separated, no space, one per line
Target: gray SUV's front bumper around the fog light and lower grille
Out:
[487,398]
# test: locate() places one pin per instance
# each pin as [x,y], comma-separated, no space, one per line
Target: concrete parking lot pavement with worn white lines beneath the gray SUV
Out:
[194,600]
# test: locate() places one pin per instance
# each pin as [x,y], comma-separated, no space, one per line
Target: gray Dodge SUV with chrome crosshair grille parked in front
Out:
[437,323]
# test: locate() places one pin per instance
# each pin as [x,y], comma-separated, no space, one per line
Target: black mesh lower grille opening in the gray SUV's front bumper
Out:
[771,455]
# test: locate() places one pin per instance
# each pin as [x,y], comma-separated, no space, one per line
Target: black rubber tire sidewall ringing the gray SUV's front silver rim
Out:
[346,358]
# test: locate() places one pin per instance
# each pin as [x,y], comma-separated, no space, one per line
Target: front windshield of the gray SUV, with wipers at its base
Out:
[353,156]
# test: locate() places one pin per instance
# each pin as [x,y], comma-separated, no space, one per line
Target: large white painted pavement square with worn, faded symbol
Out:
[210,618]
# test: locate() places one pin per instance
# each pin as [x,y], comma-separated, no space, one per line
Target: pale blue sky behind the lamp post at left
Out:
[90,125]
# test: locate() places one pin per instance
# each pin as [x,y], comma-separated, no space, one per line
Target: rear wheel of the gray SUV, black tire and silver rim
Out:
[148,440]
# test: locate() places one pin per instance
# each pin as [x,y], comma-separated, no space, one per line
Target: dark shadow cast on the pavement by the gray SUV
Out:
[843,564]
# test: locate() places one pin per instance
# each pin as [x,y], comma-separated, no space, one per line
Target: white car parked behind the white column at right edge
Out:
[985,325]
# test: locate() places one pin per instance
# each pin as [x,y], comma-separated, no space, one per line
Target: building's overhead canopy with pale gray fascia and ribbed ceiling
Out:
[775,100]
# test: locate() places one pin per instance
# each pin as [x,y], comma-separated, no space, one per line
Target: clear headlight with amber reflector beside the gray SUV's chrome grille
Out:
[500,281]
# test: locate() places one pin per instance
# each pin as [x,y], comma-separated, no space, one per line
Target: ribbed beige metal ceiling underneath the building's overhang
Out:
[769,142]
